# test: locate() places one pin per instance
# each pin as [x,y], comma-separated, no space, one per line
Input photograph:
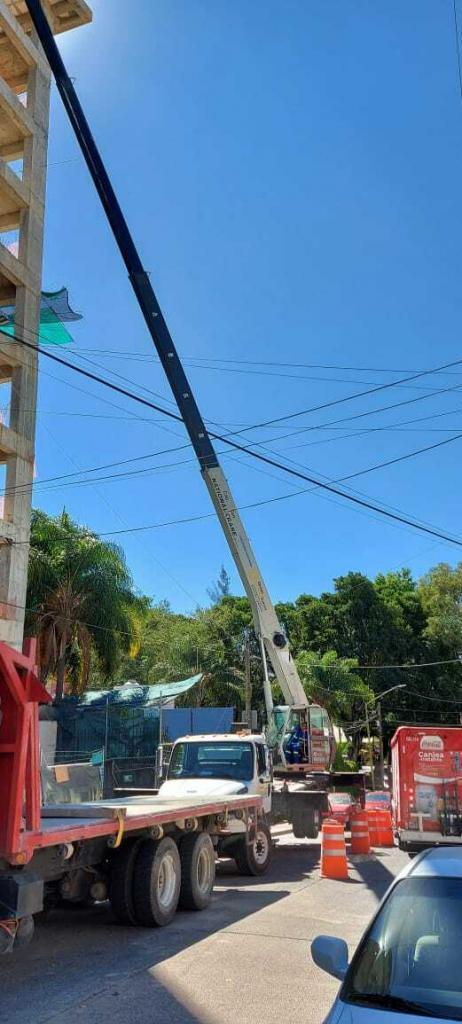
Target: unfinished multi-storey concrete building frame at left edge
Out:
[25,91]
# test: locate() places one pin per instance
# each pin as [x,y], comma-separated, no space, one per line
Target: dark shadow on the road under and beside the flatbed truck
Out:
[80,960]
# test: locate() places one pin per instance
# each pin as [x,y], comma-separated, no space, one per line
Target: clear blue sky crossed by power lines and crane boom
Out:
[292,174]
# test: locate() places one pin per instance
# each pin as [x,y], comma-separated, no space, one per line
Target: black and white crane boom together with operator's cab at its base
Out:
[291,729]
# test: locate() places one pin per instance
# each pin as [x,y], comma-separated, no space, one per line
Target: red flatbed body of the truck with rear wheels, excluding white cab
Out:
[148,855]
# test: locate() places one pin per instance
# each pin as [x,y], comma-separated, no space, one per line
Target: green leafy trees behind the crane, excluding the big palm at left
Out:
[350,647]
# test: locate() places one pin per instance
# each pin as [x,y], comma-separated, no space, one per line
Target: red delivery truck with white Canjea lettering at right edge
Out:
[427,764]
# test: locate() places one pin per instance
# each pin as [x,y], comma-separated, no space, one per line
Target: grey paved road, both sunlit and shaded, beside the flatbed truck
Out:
[245,959]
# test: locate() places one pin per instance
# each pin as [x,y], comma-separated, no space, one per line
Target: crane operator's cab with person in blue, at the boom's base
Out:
[302,738]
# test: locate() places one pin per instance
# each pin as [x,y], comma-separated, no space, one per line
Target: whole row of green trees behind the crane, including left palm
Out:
[351,644]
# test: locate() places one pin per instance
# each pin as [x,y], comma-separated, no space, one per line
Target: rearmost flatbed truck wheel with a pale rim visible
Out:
[157,880]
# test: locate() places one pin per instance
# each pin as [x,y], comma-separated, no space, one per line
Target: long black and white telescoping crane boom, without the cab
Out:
[268,628]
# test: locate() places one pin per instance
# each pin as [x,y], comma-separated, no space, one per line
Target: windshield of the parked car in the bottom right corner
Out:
[410,961]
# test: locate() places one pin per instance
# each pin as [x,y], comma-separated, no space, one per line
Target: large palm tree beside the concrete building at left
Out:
[80,602]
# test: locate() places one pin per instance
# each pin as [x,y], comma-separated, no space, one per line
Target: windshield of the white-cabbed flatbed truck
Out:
[213,761]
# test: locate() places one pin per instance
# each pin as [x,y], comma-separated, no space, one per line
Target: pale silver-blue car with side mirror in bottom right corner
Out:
[409,963]
